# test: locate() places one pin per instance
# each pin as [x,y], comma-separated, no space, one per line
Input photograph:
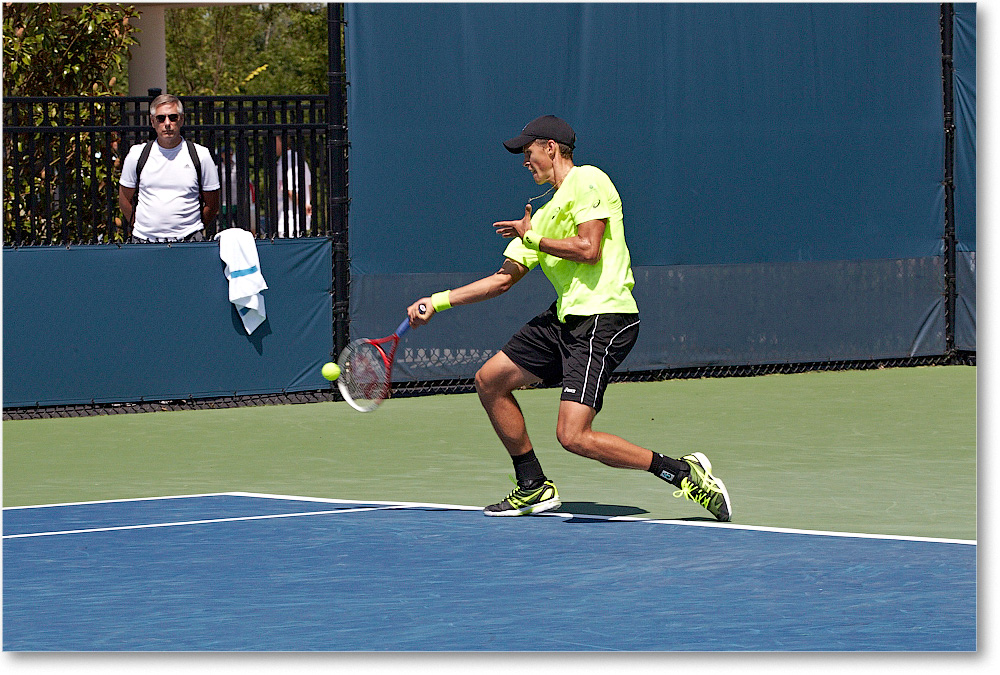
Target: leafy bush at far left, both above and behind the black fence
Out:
[52,183]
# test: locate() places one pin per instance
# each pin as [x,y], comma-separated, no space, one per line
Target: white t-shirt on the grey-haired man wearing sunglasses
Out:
[169,205]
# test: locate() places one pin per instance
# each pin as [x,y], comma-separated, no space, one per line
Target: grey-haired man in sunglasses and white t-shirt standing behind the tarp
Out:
[169,189]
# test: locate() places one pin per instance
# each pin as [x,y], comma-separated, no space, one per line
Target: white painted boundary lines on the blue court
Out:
[388,505]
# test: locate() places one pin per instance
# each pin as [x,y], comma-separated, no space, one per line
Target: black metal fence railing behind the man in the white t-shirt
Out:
[62,159]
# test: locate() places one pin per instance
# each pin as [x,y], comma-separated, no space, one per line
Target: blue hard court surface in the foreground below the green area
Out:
[243,572]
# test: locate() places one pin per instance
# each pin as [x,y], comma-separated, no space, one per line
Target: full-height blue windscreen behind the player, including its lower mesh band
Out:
[797,148]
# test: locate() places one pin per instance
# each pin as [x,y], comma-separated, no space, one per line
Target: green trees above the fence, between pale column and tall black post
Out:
[249,50]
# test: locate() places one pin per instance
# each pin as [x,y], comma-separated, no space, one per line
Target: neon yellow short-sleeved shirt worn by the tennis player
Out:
[584,290]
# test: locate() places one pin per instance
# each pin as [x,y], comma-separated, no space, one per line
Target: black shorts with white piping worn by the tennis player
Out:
[581,353]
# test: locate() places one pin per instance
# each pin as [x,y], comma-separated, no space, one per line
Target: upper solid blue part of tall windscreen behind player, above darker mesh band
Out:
[735,133]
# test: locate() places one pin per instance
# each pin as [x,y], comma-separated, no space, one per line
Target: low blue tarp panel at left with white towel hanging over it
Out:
[154,322]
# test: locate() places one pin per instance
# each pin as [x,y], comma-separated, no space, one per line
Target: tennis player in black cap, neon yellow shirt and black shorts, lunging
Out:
[578,239]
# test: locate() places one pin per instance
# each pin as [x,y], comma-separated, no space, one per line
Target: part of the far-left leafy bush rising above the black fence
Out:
[60,50]
